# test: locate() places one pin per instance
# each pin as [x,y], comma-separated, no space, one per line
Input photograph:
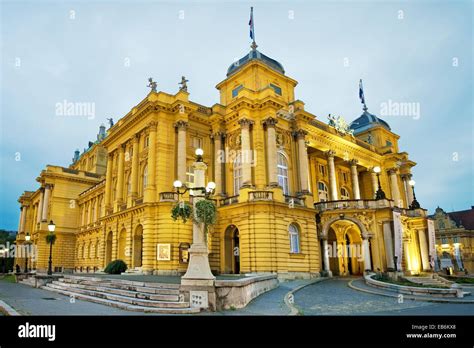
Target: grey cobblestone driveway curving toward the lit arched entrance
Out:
[334,297]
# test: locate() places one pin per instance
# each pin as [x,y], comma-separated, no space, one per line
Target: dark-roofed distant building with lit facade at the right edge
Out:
[455,239]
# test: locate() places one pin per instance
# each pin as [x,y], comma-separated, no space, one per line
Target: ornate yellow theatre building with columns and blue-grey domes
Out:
[289,186]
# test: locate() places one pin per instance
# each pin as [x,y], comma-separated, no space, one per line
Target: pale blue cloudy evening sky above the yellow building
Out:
[103,52]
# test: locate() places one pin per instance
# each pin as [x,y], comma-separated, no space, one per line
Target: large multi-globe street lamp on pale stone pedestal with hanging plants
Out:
[199,271]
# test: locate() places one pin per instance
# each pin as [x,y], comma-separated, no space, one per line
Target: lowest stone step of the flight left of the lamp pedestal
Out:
[125,306]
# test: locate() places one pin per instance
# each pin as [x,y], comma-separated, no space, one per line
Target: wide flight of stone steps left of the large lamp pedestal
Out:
[125,294]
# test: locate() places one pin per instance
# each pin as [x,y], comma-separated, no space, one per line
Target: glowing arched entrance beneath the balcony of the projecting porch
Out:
[344,238]
